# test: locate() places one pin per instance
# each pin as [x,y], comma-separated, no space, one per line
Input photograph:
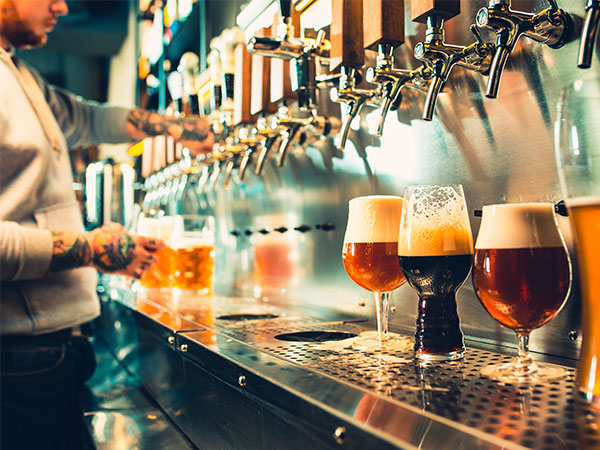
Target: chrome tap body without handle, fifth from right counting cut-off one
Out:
[353,98]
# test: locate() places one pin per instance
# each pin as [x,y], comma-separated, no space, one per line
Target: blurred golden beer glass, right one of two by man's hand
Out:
[193,241]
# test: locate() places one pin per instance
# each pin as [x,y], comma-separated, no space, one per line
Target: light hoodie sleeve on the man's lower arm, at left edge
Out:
[25,252]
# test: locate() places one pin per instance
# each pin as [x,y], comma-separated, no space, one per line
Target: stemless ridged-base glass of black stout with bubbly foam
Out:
[435,249]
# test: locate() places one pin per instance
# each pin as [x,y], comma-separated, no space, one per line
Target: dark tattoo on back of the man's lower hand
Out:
[113,251]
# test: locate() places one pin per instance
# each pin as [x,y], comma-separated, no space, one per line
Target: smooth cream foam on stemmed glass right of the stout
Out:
[518,225]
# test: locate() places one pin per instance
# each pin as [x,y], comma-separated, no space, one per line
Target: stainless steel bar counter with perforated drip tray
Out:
[221,371]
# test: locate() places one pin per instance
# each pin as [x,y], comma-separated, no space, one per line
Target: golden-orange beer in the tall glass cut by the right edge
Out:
[585,217]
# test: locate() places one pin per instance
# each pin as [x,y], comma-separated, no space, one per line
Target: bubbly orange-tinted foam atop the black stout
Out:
[438,223]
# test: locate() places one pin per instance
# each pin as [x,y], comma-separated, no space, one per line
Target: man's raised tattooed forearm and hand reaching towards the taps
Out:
[192,131]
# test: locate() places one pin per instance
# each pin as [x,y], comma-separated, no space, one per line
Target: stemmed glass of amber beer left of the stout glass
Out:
[370,251]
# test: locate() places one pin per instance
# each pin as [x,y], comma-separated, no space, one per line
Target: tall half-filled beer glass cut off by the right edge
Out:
[577,145]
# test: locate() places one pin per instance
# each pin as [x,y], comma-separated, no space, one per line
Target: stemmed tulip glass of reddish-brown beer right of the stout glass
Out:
[522,276]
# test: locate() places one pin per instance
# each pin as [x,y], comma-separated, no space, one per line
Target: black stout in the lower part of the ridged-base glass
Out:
[436,279]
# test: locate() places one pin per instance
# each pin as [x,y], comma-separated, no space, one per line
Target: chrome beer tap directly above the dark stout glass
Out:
[441,57]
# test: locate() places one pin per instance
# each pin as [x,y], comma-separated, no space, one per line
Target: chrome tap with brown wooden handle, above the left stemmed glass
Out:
[383,32]
